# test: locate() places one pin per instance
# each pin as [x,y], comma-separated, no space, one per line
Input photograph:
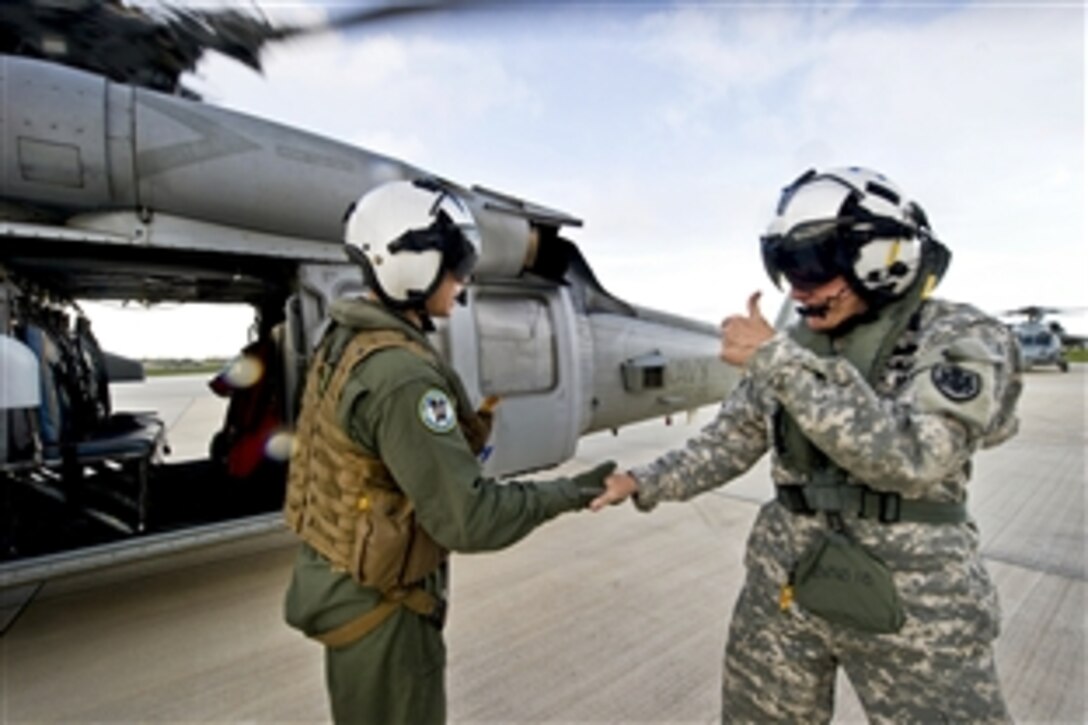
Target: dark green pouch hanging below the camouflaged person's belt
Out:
[840,582]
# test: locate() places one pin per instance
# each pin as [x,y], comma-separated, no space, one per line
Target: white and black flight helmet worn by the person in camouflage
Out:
[854,223]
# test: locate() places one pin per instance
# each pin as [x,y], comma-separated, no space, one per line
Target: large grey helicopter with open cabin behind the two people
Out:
[120,185]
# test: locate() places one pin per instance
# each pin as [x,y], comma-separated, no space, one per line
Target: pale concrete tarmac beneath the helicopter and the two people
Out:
[611,618]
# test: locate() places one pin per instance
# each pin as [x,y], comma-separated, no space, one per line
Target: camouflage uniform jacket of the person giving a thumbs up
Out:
[913,434]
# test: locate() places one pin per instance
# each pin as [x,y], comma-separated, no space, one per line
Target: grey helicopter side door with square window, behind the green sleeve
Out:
[521,343]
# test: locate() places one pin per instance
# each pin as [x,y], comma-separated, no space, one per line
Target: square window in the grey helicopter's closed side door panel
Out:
[517,346]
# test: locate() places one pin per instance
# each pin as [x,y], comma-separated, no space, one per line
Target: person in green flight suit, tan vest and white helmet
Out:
[385,478]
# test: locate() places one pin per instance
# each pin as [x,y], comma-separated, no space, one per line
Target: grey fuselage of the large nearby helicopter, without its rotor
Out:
[112,192]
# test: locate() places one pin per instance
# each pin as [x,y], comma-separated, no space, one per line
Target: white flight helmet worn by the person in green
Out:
[406,236]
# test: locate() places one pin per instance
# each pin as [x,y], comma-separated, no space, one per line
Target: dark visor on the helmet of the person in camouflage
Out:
[808,256]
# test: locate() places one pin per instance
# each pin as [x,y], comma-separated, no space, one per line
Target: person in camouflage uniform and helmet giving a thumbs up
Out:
[873,405]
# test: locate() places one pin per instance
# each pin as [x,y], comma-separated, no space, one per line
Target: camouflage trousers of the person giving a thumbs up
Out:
[781,666]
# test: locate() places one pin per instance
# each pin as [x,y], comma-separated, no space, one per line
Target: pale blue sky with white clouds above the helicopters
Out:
[671,128]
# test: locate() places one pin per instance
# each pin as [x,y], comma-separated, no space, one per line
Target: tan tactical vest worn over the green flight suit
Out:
[345,503]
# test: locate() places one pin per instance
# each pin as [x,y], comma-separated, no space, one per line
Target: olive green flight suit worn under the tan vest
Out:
[395,674]
